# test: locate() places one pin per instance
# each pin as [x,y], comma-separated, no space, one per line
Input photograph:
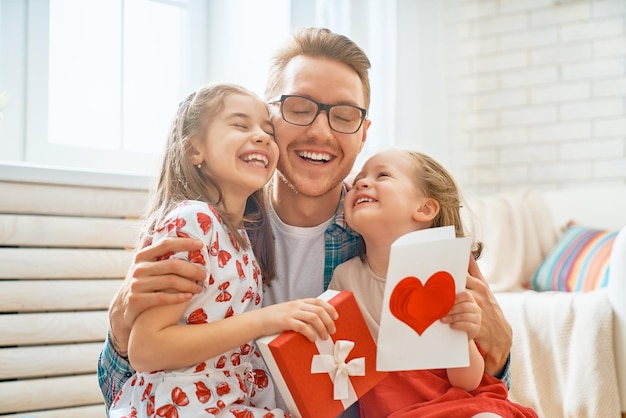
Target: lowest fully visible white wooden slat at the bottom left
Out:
[55,392]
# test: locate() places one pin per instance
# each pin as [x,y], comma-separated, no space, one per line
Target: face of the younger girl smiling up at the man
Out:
[384,201]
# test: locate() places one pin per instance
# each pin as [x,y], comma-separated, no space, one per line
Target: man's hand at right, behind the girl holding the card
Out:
[495,336]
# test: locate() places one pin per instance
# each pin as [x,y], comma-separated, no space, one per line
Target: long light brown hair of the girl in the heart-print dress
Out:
[180,180]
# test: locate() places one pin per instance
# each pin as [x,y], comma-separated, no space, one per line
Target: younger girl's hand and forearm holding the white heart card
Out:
[466,316]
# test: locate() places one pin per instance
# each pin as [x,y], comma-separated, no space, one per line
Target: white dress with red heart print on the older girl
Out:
[234,384]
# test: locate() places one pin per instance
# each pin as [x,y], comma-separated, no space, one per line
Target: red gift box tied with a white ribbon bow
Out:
[321,379]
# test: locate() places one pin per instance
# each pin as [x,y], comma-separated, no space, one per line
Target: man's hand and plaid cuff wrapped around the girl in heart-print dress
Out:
[150,282]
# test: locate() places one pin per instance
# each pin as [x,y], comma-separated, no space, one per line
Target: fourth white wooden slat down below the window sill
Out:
[56,295]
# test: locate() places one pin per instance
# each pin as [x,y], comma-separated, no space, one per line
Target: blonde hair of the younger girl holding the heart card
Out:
[437,183]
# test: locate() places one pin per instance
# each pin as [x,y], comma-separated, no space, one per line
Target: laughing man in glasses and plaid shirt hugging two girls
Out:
[318,92]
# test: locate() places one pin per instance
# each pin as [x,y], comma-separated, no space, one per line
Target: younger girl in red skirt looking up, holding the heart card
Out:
[395,193]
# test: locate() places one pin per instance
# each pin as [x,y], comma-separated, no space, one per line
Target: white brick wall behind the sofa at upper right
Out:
[536,92]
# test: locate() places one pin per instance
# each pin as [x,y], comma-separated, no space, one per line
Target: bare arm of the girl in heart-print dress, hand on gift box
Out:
[157,342]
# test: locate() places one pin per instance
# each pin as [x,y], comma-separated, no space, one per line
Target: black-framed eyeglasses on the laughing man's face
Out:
[302,111]
